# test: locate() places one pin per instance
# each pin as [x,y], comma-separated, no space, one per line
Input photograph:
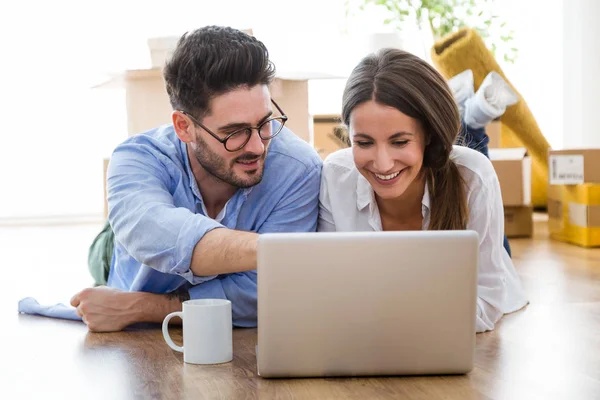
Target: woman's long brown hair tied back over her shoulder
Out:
[404,81]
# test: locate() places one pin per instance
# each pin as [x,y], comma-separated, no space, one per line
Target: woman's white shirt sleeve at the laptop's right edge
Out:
[486,217]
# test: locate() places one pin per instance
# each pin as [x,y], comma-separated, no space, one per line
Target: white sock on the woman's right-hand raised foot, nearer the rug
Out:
[490,101]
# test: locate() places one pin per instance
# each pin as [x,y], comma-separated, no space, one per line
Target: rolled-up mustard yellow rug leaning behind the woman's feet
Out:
[465,50]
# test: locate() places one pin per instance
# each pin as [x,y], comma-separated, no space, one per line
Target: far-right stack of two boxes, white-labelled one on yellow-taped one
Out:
[574,196]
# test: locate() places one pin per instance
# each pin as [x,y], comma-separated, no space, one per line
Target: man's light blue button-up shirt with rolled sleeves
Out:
[157,214]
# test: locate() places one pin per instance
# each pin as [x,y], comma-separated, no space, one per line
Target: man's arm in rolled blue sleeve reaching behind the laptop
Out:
[157,233]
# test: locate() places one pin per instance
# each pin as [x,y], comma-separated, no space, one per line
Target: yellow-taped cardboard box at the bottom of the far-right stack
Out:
[574,214]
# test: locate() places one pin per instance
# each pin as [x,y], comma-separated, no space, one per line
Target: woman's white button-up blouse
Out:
[347,203]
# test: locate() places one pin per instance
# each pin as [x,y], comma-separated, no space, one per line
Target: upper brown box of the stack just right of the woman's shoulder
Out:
[513,167]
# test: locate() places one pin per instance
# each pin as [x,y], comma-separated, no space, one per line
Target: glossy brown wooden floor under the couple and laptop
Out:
[550,350]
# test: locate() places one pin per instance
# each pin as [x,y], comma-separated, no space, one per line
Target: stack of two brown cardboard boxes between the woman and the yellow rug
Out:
[513,167]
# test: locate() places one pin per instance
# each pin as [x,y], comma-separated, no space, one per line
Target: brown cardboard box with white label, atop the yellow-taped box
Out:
[574,166]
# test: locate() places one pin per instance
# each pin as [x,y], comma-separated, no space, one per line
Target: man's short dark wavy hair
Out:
[211,61]
